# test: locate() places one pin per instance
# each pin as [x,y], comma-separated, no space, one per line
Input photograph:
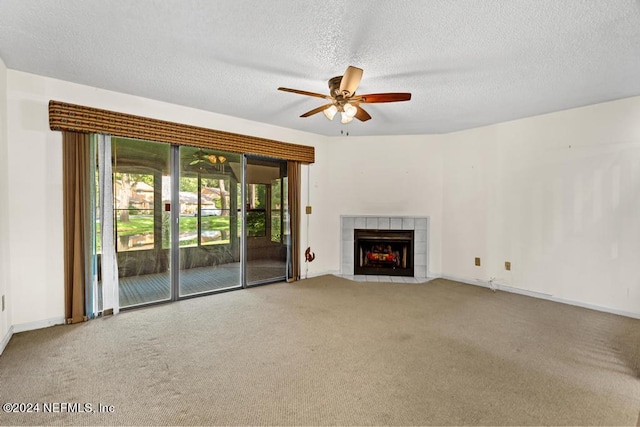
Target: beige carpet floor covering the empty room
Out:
[329,351]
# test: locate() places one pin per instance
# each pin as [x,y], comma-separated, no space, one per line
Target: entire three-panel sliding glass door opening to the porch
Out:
[191,221]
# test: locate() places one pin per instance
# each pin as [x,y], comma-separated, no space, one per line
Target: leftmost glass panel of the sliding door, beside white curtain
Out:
[141,198]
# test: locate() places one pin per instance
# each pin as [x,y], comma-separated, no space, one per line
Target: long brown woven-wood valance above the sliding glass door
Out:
[77,118]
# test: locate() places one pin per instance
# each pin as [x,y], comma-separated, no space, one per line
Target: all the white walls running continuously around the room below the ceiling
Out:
[557,195]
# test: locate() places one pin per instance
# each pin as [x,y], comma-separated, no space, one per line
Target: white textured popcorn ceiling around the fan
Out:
[467,63]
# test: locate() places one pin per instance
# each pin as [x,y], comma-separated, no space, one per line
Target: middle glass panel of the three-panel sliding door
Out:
[209,242]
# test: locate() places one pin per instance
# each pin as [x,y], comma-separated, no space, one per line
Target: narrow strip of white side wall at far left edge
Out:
[5,323]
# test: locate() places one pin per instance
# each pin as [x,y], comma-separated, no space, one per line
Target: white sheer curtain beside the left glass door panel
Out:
[109,270]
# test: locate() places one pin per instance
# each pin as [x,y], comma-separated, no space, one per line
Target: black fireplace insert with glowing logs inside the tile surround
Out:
[383,252]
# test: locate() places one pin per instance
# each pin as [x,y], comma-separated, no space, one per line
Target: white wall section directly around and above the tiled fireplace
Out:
[386,176]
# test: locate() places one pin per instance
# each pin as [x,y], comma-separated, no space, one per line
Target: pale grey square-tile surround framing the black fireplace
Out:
[420,225]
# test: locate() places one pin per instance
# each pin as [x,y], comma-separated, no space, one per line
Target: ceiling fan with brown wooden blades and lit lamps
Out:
[343,98]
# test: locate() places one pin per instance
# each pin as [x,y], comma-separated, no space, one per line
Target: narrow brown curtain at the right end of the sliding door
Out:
[293,262]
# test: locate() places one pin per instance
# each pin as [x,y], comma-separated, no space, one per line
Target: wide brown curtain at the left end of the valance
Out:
[76,161]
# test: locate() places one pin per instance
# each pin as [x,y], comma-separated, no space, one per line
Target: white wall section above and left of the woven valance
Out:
[34,161]
